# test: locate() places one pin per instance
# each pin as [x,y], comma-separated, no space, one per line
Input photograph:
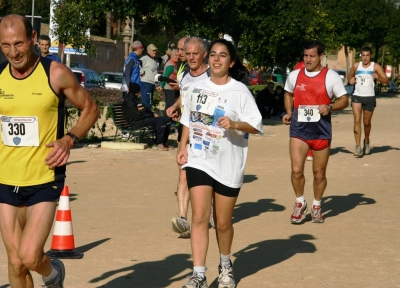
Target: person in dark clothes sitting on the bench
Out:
[137,116]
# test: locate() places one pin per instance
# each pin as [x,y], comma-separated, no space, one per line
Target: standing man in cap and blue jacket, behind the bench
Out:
[131,71]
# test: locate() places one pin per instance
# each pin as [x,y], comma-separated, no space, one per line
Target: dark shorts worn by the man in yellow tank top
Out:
[31,195]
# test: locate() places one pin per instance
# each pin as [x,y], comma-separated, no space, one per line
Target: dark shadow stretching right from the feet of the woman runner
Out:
[264,254]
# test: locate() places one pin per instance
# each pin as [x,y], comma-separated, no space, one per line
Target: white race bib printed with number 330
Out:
[20,130]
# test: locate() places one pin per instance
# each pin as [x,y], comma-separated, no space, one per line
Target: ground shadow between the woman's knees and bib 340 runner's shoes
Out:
[248,210]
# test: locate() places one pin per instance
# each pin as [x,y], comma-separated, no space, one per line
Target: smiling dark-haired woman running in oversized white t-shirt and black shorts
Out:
[219,114]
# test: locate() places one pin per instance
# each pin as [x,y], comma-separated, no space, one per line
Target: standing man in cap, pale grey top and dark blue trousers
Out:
[147,73]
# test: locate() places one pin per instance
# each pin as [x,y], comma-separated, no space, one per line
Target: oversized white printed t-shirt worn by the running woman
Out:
[220,153]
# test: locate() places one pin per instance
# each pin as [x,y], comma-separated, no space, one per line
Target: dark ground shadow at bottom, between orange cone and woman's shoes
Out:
[148,274]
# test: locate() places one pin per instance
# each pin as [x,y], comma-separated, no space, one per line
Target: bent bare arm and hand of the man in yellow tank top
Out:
[63,81]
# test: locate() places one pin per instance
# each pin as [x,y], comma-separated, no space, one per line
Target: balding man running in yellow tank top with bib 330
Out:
[34,149]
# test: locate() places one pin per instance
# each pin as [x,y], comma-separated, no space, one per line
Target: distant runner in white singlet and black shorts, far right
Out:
[363,75]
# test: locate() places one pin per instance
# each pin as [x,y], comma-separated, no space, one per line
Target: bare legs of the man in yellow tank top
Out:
[25,231]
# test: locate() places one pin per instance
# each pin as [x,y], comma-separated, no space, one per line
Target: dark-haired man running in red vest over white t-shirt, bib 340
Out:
[308,97]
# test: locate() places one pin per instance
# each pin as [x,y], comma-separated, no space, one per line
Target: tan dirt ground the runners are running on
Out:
[122,203]
